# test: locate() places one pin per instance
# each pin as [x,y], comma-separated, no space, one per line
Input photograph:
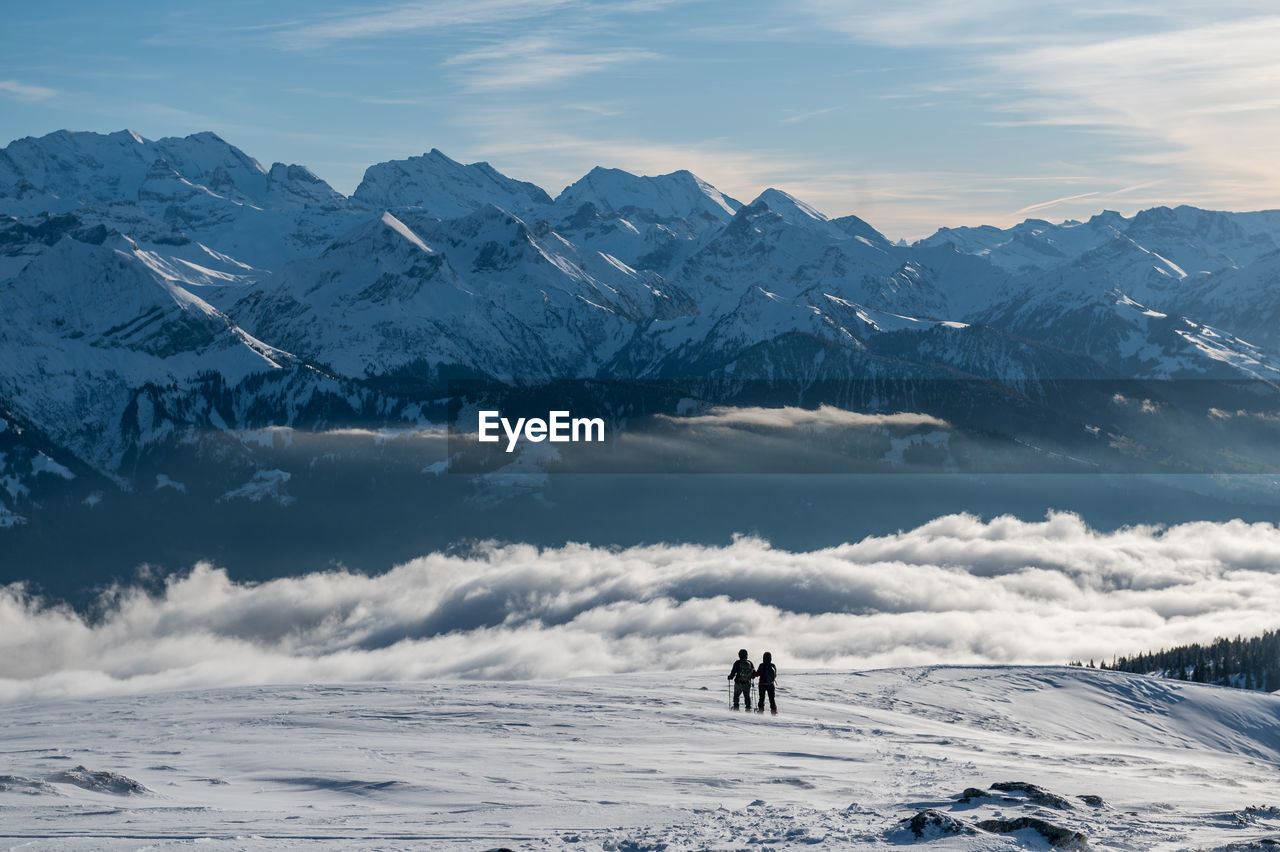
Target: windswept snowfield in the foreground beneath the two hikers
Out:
[653,762]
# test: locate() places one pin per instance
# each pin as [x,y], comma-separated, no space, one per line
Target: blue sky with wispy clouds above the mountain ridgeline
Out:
[912,114]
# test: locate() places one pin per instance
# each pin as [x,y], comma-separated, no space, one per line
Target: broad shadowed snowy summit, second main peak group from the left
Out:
[444,187]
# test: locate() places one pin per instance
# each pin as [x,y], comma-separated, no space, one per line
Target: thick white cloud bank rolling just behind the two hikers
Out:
[956,590]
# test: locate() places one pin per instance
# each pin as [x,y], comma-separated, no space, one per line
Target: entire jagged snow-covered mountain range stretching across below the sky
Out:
[166,299]
